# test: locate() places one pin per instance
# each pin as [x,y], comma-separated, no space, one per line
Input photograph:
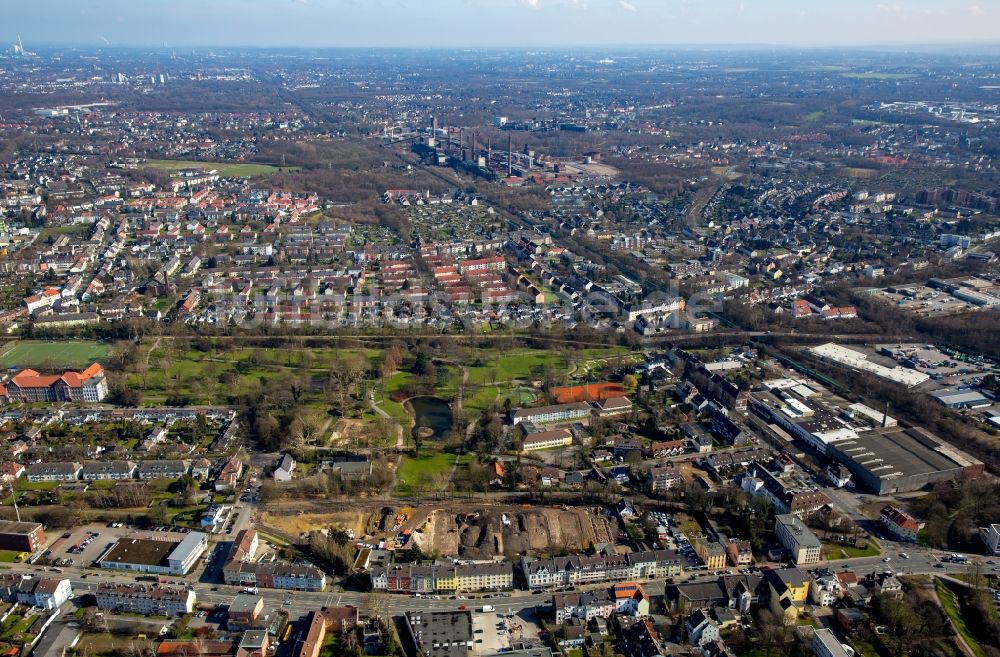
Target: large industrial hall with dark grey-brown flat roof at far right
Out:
[899,460]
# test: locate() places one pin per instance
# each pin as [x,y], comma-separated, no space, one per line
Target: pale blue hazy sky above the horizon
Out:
[495,23]
